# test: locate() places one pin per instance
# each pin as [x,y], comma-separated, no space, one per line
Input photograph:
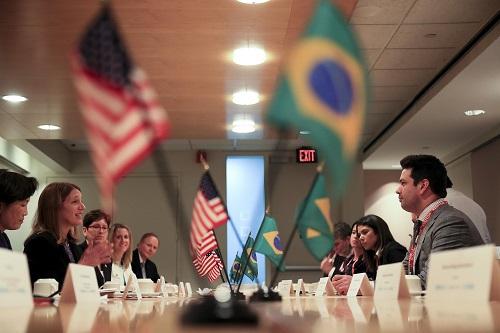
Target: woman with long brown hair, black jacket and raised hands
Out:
[51,247]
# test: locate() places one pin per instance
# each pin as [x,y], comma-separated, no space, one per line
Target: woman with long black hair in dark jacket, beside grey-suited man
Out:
[379,248]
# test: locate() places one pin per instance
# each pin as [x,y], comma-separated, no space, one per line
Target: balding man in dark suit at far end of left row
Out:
[142,266]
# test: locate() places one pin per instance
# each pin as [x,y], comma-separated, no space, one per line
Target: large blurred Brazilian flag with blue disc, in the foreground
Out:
[324,89]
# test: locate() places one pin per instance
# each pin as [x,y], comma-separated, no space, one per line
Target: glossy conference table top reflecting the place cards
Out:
[294,314]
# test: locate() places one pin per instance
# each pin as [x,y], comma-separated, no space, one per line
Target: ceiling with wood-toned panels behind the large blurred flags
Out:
[183,46]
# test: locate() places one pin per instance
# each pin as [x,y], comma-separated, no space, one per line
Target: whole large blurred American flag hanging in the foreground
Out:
[123,118]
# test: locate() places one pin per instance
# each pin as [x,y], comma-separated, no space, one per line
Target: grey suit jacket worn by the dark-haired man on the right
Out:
[448,228]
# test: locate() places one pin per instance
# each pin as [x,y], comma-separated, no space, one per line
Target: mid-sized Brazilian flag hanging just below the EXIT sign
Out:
[315,226]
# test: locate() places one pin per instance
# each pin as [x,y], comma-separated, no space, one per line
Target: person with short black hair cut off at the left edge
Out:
[15,193]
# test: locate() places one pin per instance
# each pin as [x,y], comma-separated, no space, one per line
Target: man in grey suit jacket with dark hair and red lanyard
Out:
[438,226]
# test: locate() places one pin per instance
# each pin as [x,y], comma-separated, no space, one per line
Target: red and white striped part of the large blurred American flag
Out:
[123,125]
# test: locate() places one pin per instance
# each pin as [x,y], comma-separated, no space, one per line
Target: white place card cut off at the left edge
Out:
[15,285]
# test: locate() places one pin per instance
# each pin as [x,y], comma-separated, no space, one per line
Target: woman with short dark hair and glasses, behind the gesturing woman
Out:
[95,229]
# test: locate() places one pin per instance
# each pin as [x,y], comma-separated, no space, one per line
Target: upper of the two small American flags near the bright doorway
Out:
[208,213]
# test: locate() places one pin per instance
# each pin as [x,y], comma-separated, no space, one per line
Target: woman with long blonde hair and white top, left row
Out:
[121,239]
